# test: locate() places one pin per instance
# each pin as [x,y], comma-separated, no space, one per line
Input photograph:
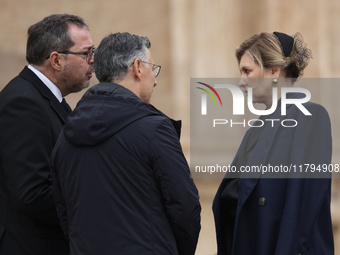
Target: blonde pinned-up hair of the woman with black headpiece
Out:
[267,51]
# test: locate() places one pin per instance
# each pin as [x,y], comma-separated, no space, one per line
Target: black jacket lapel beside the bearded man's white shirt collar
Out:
[59,109]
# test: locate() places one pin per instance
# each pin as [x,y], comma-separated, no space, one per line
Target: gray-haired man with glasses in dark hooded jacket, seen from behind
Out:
[122,184]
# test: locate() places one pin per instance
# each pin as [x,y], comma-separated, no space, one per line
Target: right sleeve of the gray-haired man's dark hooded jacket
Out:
[178,189]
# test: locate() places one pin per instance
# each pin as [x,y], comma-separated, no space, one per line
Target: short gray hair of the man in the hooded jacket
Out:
[116,52]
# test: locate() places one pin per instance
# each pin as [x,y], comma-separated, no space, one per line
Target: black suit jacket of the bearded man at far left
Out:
[31,119]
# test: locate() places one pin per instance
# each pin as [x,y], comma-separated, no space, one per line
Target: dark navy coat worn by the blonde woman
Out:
[285,215]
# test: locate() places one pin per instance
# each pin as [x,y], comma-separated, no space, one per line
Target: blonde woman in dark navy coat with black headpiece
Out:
[281,216]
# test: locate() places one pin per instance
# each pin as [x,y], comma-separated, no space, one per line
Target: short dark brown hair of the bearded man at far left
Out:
[50,34]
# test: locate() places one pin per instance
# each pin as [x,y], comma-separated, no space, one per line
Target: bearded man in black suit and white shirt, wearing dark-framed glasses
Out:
[32,113]
